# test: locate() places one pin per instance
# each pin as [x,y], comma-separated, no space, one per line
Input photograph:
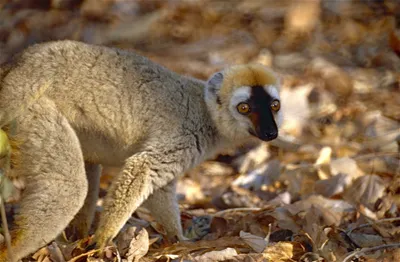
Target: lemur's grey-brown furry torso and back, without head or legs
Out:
[105,90]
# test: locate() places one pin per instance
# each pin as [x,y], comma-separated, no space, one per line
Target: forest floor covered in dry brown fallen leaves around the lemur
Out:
[327,190]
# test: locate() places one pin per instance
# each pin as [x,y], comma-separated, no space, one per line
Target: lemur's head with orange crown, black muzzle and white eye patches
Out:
[244,101]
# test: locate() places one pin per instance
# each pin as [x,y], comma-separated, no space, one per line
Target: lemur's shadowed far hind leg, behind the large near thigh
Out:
[82,222]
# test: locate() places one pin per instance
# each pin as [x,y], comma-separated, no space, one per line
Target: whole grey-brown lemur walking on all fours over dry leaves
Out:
[75,106]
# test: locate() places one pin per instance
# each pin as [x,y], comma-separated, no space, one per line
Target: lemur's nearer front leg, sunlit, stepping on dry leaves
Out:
[143,174]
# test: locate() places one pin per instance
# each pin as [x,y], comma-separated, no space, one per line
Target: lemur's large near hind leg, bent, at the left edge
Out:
[52,166]
